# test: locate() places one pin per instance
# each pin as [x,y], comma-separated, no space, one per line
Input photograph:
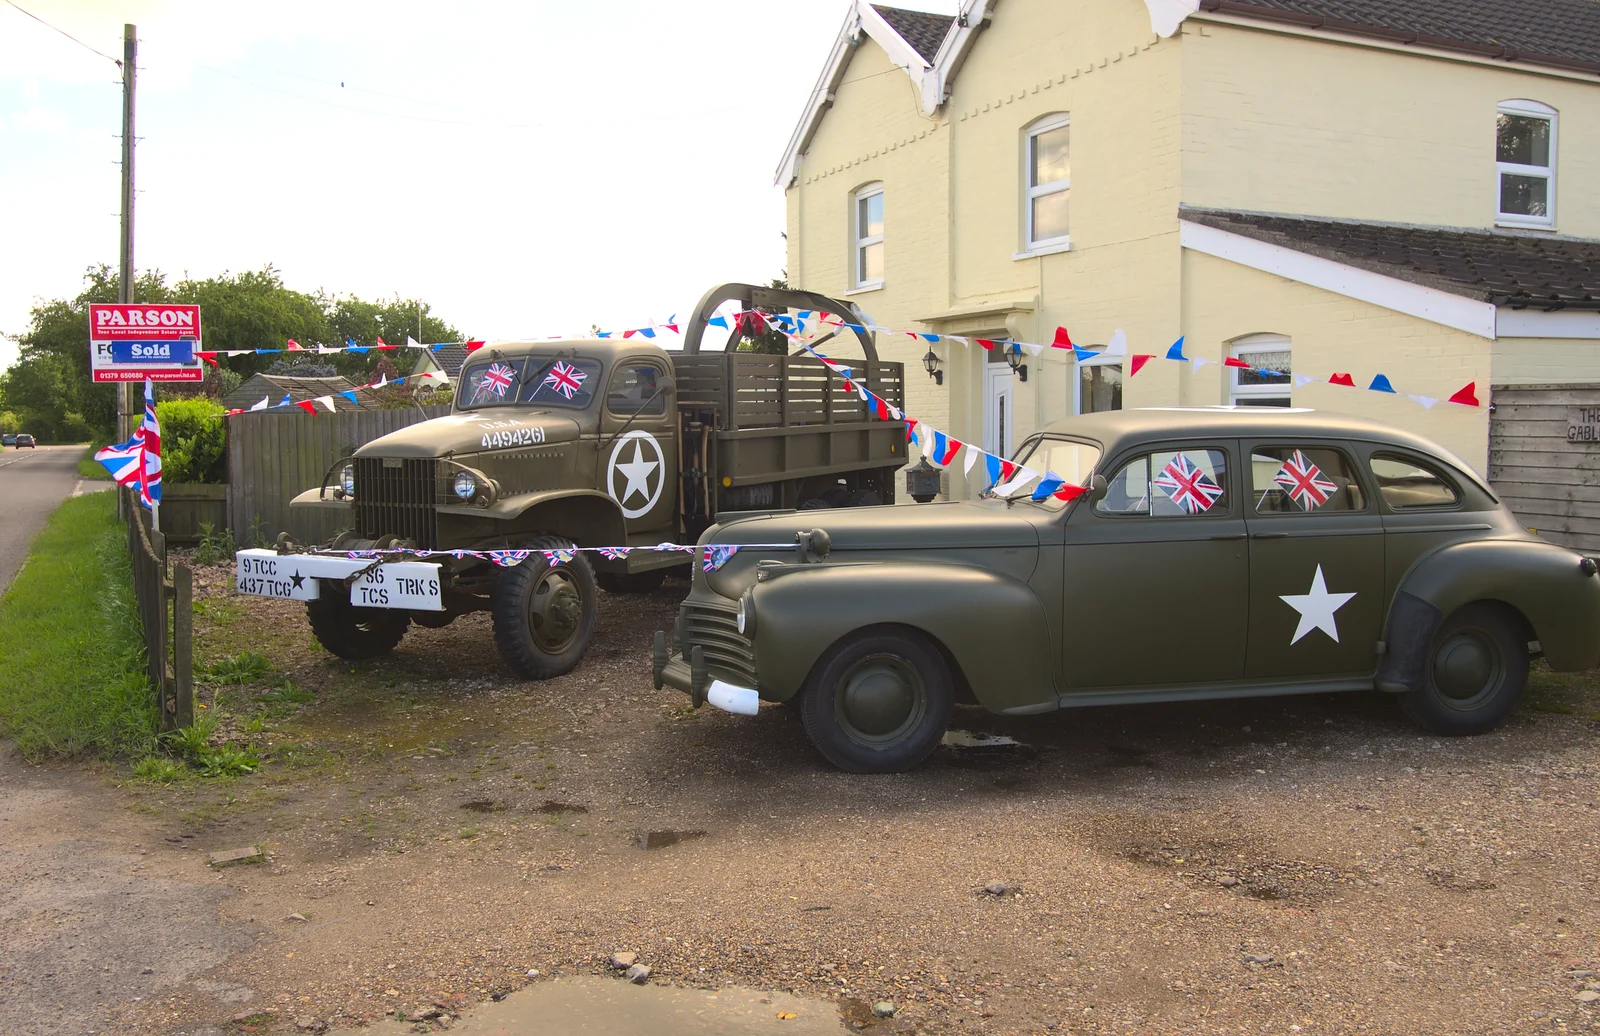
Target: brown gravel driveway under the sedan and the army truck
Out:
[438,829]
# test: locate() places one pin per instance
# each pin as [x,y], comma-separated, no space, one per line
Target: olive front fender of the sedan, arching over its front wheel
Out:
[991,628]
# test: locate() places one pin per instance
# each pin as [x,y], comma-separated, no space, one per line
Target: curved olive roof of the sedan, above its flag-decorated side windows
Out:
[1119,429]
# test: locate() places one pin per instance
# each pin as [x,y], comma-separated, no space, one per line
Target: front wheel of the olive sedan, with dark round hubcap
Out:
[879,703]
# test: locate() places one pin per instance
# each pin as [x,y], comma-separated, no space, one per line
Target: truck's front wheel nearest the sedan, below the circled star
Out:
[545,615]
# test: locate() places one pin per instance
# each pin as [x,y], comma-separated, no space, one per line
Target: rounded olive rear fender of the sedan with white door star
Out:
[1543,583]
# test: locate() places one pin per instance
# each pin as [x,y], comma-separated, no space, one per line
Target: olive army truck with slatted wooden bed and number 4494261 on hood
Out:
[578,444]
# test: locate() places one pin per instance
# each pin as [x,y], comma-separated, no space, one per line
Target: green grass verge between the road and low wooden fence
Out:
[73,674]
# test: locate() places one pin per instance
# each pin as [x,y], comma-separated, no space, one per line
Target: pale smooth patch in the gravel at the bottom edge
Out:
[612,1006]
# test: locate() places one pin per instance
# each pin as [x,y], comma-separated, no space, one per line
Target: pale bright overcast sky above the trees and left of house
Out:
[527,169]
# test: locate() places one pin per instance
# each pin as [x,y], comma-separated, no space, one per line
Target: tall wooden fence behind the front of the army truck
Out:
[274,456]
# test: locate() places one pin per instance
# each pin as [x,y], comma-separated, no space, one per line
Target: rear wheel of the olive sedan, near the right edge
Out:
[1478,667]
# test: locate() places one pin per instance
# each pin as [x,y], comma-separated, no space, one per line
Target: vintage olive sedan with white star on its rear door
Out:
[1217,554]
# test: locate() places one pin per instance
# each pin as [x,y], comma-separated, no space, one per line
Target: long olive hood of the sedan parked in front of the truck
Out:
[914,527]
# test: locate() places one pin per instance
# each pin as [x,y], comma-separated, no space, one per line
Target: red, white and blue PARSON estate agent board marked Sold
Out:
[132,341]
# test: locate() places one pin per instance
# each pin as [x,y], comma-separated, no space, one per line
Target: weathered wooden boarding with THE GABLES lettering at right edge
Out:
[1545,460]
